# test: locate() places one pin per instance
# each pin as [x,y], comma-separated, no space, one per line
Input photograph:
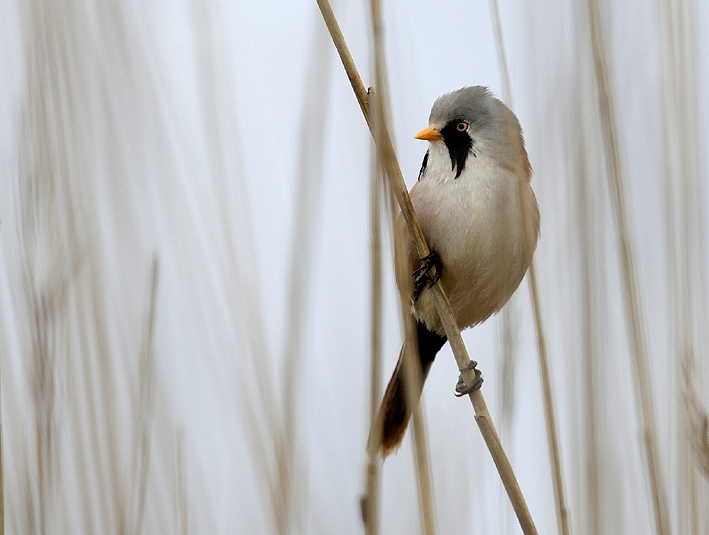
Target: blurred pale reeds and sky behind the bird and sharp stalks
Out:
[185,267]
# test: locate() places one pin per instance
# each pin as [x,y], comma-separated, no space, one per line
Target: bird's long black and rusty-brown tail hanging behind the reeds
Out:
[393,416]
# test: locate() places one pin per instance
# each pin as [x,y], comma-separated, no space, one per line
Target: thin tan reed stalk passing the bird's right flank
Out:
[550,418]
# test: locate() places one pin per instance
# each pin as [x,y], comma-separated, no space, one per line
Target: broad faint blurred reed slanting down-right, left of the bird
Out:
[224,160]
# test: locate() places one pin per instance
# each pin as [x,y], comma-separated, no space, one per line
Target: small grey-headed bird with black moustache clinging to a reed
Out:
[480,218]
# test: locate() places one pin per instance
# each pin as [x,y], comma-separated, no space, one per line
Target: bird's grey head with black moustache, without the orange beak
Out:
[473,123]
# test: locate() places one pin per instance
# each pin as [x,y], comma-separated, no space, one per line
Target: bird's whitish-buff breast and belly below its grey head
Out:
[477,224]
